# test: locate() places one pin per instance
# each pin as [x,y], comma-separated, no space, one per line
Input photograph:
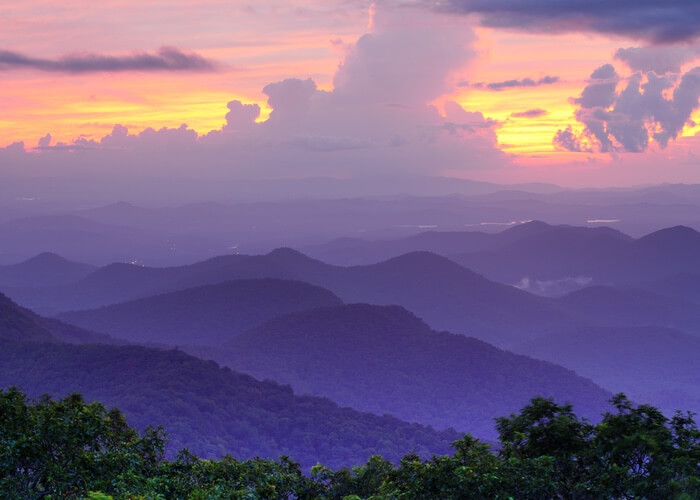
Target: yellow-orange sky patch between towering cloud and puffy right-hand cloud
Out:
[507,56]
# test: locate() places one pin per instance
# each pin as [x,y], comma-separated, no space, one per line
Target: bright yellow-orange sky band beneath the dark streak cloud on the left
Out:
[90,105]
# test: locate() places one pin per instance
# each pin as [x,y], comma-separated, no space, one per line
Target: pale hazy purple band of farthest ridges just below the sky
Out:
[172,230]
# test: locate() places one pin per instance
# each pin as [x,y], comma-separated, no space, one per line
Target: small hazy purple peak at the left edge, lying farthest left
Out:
[45,269]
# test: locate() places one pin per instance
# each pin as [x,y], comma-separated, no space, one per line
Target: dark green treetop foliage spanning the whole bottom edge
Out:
[72,449]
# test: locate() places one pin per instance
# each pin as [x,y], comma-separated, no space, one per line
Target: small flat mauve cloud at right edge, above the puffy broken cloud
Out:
[658,59]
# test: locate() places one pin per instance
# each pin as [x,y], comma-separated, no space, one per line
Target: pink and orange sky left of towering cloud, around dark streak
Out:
[253,46]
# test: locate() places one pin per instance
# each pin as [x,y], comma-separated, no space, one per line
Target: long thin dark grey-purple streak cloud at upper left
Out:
[165,59]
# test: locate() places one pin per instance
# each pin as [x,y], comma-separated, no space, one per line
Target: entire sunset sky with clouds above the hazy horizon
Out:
[593,93]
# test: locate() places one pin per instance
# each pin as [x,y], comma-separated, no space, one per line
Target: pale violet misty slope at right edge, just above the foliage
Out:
[653,364]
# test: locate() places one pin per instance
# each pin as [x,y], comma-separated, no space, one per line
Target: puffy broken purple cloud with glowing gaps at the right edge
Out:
[648,107]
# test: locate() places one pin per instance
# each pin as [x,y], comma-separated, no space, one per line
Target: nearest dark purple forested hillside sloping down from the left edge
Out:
[212,411]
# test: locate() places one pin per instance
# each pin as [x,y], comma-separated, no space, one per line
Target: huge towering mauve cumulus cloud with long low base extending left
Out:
[377,120]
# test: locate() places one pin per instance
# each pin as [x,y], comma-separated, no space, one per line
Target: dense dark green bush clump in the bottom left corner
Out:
[67,447]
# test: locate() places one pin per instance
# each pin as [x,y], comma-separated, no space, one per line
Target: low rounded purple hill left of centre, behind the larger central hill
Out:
[208,315]
